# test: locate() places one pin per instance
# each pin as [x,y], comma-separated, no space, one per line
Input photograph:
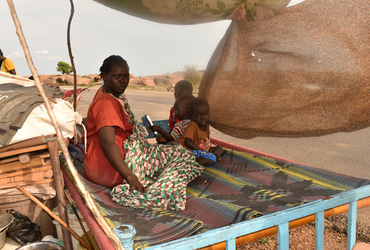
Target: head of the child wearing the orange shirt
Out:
[199,109]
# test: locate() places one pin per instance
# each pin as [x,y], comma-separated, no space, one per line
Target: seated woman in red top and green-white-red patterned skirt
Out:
[142,175]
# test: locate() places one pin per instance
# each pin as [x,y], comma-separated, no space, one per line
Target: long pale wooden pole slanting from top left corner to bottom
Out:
[79,183]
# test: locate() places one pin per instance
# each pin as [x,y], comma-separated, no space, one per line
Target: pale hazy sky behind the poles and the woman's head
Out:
[97,32]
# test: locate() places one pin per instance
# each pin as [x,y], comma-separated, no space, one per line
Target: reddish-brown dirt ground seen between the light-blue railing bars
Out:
[303,238]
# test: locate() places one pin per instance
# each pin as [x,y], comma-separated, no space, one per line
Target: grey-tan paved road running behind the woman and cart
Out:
[346,153]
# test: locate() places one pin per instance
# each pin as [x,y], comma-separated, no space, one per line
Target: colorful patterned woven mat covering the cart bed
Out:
[240,186]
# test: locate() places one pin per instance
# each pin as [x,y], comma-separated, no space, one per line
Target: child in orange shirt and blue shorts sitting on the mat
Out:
[196,135]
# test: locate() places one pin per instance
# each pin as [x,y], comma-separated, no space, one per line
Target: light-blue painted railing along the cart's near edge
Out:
[228,234]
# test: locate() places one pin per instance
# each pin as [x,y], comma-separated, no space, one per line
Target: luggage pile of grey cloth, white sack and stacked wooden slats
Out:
[25,157]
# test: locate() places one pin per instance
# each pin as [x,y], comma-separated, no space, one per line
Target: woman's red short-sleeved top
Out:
[104,111]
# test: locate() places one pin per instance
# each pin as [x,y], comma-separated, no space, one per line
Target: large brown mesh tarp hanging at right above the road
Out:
[305,72]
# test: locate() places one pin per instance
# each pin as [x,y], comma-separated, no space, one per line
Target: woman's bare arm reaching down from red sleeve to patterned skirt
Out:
[113,154]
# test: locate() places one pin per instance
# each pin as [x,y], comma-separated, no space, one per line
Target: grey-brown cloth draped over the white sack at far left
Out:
[16,103]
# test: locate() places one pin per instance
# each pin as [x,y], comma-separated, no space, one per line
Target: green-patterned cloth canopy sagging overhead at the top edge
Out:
[198,11]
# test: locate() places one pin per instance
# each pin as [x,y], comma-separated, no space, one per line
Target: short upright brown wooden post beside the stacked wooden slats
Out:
[59,186]
